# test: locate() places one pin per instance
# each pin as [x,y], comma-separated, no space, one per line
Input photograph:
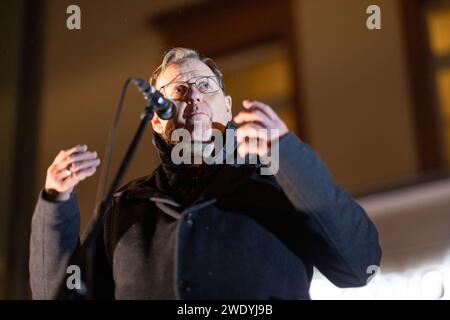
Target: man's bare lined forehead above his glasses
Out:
[184,71]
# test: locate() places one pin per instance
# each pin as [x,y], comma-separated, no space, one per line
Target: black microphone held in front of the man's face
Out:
[165,108]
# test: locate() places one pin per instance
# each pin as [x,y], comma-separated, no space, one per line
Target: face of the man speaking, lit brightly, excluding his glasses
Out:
[197,112]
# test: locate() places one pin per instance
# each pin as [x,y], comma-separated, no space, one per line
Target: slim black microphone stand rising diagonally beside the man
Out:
[84,256]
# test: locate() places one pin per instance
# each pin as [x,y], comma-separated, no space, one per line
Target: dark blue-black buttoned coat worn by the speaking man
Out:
[248,236]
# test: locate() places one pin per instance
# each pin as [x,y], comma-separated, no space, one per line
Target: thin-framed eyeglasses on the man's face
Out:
[178,90]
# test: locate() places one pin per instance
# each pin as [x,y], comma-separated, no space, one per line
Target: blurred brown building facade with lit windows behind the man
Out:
[375,104]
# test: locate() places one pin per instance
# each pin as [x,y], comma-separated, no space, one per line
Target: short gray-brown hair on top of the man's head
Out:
[179,55]
